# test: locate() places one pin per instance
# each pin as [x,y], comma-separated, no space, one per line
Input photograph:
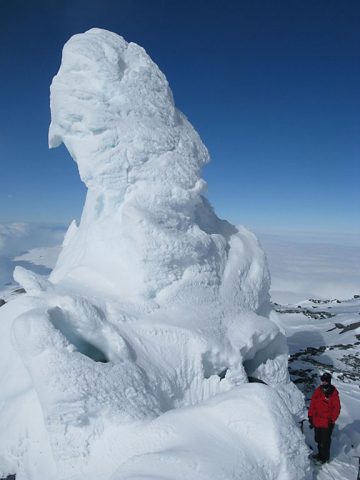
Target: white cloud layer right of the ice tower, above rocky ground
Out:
[306,266]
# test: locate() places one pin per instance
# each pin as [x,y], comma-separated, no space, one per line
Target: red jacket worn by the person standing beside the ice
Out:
[324,409]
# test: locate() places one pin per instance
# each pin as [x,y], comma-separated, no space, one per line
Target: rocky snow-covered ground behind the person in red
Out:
[324,335]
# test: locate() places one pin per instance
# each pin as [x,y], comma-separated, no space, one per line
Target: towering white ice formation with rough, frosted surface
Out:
[132,360]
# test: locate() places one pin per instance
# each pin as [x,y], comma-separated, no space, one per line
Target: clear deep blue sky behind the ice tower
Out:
[273,87]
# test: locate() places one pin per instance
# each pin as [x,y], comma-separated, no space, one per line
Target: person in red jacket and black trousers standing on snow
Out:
[323,411]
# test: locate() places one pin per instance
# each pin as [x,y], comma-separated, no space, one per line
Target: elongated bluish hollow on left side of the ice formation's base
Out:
[60,320]
